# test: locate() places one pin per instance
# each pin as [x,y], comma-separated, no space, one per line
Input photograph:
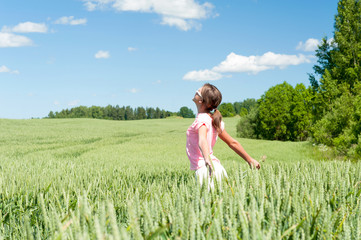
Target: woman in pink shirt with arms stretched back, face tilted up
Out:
[203,133]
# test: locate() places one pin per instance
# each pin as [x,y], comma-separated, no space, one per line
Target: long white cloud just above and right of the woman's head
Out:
[235,63]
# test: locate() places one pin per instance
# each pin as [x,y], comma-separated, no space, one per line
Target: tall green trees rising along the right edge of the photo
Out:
[336,101]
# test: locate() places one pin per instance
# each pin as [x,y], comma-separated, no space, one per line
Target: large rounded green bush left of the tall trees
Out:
[285,112]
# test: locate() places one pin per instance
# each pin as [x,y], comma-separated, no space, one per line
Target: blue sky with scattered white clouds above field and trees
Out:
[152,53]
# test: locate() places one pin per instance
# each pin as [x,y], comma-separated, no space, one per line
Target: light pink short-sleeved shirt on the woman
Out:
[194,153]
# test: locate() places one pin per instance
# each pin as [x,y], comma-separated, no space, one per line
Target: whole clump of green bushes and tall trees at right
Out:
[328,111]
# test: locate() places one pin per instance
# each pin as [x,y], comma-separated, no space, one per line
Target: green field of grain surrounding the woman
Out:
[99,179]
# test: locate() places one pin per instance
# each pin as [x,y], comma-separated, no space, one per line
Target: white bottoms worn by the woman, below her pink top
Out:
[218,172]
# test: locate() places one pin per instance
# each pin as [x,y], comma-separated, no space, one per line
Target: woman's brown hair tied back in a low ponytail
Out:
[212,97]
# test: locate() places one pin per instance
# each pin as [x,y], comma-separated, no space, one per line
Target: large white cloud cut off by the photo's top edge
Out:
[182,14]
